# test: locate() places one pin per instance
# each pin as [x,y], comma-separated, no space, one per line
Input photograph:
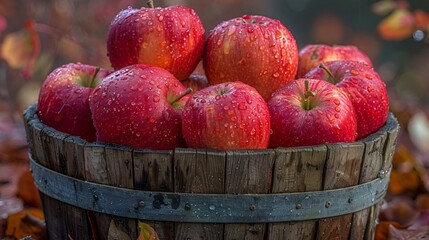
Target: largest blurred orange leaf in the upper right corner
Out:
[399,25]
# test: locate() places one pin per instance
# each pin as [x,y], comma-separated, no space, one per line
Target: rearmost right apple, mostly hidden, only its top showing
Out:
[314,54]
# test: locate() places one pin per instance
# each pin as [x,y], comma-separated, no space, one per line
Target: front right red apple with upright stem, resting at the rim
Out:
[310,112]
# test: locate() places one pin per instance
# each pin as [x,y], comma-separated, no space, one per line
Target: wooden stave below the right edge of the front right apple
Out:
[342,169]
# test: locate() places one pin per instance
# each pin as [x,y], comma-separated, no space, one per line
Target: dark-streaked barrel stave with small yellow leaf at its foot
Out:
[153,171]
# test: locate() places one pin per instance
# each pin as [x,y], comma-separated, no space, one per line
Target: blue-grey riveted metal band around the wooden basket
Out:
[207,208]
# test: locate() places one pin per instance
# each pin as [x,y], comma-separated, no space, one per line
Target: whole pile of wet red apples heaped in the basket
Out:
[258,90]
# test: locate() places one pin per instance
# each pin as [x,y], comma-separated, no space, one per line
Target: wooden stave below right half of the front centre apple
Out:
[248,172]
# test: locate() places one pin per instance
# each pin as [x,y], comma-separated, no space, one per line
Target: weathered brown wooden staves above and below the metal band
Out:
[205,171]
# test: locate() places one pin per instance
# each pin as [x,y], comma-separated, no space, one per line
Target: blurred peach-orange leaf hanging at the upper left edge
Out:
[20,49]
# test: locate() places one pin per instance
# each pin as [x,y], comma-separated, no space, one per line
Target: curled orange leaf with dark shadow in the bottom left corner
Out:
[29,222]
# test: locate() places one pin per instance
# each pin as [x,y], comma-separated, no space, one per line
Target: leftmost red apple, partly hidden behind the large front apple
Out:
[63,99]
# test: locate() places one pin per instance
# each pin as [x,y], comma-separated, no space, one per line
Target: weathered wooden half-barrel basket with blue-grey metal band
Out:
[101,191]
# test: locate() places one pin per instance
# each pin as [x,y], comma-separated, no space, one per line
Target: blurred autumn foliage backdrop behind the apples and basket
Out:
[38,36]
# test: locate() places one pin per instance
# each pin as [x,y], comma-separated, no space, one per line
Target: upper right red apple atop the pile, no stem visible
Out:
[256,50]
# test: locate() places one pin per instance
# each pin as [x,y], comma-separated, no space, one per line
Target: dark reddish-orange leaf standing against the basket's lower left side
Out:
[27,190]
